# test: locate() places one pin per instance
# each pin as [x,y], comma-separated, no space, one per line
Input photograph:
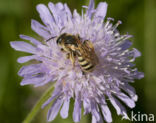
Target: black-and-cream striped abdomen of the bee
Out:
[86,66]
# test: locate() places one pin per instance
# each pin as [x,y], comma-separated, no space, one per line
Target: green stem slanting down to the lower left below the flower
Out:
[38,105]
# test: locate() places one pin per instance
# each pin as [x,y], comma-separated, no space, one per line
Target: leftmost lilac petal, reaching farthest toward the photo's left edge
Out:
[23,46]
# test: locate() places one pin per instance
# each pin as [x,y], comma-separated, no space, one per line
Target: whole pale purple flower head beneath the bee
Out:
[107,83]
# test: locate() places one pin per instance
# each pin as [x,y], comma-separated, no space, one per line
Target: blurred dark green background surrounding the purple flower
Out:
[139,19]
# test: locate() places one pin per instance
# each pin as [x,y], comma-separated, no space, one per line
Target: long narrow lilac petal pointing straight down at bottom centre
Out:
[77,110]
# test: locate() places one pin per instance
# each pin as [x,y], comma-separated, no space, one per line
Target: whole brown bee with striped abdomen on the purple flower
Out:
[75,49]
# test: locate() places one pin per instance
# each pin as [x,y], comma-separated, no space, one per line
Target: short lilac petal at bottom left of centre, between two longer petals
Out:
[65,109]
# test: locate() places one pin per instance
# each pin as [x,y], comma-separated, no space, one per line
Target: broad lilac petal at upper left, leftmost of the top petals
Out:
[45,15]
